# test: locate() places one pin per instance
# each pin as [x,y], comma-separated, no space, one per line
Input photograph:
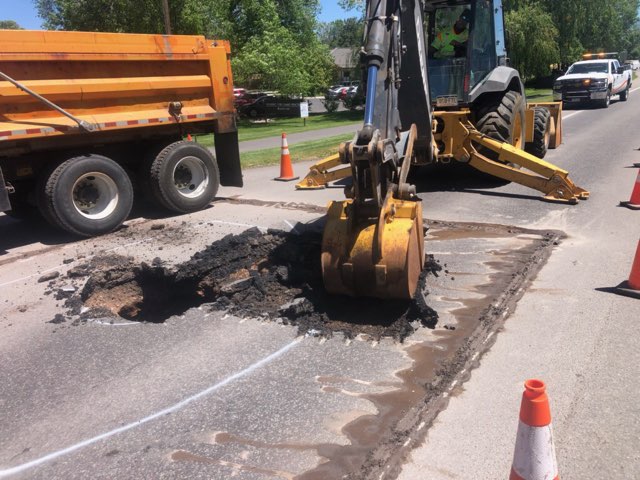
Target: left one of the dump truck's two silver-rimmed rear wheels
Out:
[87,195]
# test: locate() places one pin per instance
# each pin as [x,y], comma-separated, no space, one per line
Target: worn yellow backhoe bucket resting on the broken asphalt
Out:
[379,257]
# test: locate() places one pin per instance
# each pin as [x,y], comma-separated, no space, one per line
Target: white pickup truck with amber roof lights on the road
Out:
[593,81]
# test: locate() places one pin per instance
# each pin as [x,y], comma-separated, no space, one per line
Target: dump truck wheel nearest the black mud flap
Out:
[184,177]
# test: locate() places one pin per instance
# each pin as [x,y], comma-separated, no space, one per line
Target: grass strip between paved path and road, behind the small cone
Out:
[314,150]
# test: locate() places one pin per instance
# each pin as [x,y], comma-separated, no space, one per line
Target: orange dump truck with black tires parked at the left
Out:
[89,120]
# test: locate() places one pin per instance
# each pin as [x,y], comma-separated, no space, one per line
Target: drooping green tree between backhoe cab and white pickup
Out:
[533,40]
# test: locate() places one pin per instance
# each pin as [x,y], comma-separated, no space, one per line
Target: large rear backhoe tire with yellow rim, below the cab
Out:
[504,120]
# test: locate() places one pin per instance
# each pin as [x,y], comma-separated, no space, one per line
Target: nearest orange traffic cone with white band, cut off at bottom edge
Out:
[535,455]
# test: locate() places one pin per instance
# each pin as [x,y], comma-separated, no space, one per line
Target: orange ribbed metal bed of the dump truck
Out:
[111,81]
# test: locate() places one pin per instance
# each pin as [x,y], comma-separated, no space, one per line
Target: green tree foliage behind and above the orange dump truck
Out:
[274,44]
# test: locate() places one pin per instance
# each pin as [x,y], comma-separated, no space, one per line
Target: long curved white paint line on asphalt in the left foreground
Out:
[85,443]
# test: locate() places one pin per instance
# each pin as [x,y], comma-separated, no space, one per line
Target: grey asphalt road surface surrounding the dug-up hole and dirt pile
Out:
[204,395]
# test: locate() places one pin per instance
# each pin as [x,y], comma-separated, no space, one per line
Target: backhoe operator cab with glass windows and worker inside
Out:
[466,47]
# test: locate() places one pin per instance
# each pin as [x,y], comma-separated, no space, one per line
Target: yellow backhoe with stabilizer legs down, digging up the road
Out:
[422,107]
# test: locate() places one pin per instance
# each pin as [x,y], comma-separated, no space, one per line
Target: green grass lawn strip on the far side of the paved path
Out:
[251,130]
